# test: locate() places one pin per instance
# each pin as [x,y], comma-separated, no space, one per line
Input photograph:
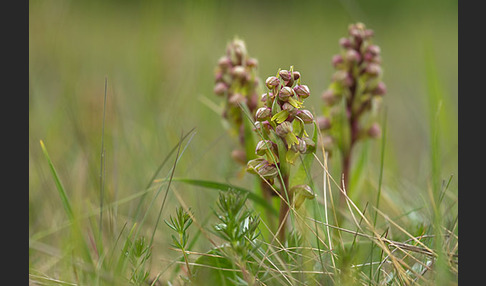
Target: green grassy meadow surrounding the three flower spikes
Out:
[115,85]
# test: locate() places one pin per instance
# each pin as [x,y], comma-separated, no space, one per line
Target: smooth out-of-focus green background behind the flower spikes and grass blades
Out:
[158,58]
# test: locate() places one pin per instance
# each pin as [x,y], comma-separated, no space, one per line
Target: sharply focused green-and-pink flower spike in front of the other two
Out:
[281,125]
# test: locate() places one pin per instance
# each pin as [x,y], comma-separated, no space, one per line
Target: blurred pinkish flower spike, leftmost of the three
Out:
[236,80]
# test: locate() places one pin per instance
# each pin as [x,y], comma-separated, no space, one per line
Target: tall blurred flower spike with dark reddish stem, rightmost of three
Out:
[358,82]
